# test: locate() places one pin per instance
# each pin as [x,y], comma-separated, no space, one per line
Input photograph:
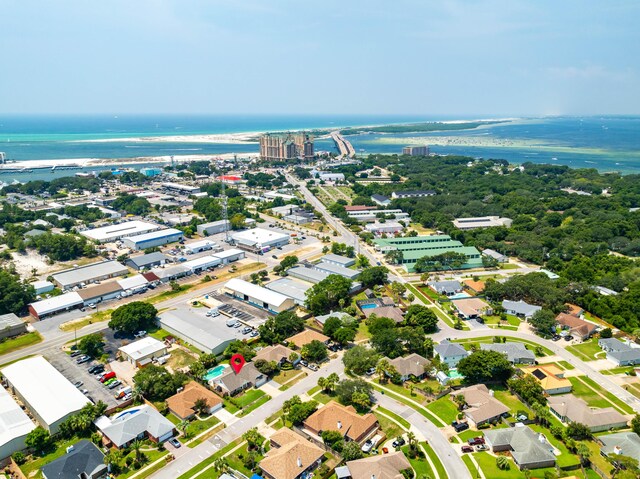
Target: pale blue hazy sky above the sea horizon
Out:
[475,57]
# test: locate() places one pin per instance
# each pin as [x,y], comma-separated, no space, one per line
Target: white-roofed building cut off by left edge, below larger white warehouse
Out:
[14,425]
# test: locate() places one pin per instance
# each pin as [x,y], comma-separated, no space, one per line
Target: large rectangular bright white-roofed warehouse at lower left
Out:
[48,395]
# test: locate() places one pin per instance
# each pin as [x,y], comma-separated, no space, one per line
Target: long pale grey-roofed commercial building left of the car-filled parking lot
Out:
[209,335]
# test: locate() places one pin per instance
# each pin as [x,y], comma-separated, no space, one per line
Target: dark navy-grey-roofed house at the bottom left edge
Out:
[82,460]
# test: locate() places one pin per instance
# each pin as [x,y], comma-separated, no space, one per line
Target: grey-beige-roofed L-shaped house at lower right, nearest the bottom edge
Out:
[528,449]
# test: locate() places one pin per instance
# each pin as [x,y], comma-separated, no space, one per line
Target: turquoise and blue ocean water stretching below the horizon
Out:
[608,143]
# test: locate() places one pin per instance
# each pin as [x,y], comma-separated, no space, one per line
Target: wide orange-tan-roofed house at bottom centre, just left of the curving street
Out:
[344,419]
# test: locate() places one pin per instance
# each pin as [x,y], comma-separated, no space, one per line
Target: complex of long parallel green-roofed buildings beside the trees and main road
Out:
[416,247]
